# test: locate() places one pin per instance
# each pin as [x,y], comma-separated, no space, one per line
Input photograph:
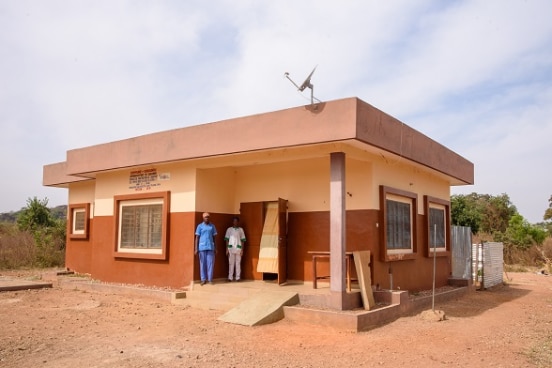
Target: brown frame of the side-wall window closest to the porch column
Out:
[389,255]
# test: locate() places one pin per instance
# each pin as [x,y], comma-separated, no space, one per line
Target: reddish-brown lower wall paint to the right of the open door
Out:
[309,231]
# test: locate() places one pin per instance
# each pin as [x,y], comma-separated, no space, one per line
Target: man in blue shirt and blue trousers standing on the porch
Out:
[205,244]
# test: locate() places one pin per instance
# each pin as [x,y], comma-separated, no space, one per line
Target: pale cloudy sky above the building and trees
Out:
[476,76]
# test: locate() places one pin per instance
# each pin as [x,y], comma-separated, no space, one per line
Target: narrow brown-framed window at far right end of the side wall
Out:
[437,213]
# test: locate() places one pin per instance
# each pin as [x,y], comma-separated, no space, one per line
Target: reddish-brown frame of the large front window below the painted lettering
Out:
[120,201]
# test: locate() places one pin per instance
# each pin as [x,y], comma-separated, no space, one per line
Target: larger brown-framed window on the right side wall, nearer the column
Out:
[399,210]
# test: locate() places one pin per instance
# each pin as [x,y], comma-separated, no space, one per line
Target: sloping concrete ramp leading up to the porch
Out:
[261,309]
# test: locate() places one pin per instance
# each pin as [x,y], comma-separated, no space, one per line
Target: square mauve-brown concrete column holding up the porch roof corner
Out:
[337,225]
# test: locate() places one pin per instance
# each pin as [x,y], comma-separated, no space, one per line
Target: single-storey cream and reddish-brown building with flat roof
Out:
[337,176]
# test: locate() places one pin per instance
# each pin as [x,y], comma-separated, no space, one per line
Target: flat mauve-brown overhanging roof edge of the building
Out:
[349,119]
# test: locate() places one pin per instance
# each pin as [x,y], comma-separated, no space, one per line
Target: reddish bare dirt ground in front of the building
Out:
[508,326]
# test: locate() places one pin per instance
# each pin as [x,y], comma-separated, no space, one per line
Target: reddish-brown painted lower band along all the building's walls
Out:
[307,231]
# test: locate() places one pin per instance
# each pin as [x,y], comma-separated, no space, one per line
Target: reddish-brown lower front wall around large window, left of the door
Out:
[179,270]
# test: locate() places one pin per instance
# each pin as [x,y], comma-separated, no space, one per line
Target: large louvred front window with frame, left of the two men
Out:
[142,225]
